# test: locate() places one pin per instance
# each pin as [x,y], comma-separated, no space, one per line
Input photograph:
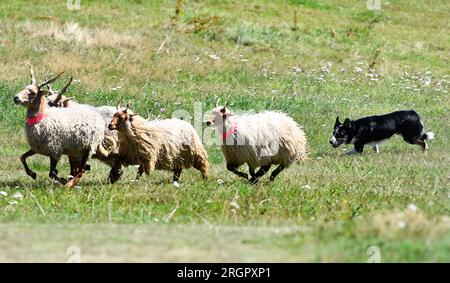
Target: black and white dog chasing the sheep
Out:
[374,130]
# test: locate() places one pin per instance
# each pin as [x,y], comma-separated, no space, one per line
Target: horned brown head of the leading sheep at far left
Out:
[31,95]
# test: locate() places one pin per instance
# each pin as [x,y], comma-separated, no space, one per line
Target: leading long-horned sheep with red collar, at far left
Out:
[53,132]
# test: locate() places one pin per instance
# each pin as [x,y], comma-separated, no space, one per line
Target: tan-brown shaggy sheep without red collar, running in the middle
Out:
[170,144]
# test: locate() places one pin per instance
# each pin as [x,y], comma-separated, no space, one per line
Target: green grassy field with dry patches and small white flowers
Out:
[314,60]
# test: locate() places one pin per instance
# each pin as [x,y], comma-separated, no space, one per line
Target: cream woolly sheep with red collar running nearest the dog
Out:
[260,140]
